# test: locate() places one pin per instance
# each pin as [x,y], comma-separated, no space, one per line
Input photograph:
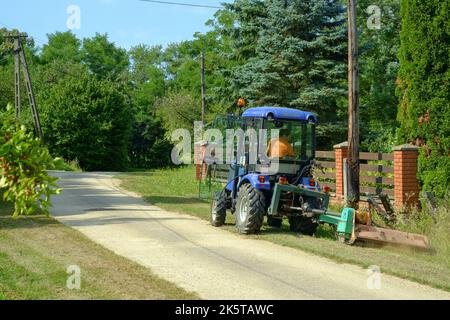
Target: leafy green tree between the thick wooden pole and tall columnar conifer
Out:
[378,74]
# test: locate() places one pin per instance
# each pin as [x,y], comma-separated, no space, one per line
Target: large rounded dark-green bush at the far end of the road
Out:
[88,121]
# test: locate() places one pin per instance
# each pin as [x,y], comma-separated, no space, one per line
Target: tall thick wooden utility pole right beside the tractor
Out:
[353,110]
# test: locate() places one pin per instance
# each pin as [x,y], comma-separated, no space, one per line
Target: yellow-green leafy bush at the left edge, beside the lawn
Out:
[23,165]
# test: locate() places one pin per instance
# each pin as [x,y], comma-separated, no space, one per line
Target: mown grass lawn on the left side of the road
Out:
[35,253]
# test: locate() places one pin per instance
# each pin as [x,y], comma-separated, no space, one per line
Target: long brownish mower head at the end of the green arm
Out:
[387,236]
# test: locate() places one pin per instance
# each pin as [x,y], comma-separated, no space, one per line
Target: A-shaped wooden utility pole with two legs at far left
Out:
[19,58]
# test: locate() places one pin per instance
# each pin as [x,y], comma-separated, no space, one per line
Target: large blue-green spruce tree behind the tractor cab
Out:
[300,56]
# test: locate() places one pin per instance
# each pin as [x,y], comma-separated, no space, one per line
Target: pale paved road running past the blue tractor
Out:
[212,262]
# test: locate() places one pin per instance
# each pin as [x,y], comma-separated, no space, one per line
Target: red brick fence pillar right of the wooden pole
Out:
[405,176]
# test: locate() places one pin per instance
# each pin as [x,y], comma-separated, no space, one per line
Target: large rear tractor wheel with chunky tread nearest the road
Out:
[250,210]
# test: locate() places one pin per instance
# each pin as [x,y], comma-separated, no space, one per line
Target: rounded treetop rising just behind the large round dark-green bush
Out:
[103,58]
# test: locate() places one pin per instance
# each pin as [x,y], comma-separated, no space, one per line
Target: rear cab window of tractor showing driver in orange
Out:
[295,141]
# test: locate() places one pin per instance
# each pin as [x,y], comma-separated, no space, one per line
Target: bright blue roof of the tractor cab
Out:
[278,113]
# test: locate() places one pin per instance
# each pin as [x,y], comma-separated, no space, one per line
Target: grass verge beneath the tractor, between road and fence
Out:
[176,190]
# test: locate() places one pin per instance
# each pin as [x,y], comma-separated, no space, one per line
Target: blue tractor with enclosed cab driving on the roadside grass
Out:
[278,184]
